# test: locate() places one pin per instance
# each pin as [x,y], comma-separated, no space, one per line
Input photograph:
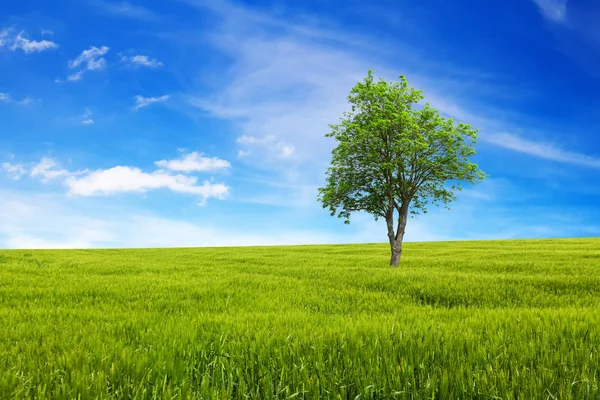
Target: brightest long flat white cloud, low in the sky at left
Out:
[128,179]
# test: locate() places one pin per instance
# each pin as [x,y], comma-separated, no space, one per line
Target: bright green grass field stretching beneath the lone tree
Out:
[506,319]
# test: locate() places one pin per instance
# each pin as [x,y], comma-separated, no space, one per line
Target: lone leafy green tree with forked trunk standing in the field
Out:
[394,158]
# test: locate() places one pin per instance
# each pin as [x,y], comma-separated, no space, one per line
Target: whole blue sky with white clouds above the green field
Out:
[202,122]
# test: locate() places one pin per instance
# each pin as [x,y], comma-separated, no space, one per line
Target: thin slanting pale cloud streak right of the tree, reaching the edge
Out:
[542,150]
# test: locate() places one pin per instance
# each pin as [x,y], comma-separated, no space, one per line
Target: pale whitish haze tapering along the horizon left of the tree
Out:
[49,222]
